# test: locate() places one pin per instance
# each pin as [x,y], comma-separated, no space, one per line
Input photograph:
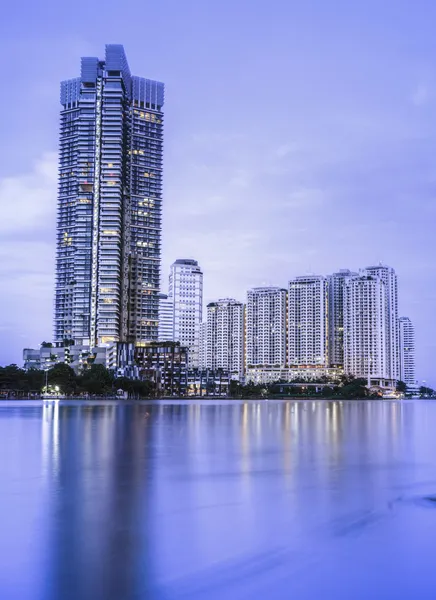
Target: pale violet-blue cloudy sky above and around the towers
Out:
[300,137]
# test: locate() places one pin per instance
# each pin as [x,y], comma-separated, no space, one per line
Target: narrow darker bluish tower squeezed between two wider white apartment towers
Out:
[336,285]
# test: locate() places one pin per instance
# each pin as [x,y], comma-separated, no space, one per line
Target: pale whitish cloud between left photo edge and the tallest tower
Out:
[27,251]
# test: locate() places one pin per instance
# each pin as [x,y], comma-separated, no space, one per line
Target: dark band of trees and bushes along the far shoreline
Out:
[97,382]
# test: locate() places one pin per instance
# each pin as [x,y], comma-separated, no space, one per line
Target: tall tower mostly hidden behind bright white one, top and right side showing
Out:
[389,277]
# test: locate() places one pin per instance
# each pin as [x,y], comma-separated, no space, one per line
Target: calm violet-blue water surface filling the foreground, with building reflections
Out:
[233,501]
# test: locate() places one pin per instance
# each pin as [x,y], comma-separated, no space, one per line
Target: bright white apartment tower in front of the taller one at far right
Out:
[365,328]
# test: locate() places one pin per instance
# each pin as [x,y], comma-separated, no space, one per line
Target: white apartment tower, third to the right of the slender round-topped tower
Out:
[307,321]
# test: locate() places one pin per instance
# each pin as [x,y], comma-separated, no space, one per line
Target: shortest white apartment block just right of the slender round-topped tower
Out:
[225,336]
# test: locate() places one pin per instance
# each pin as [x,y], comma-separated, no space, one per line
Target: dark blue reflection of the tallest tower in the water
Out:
[96,464]
